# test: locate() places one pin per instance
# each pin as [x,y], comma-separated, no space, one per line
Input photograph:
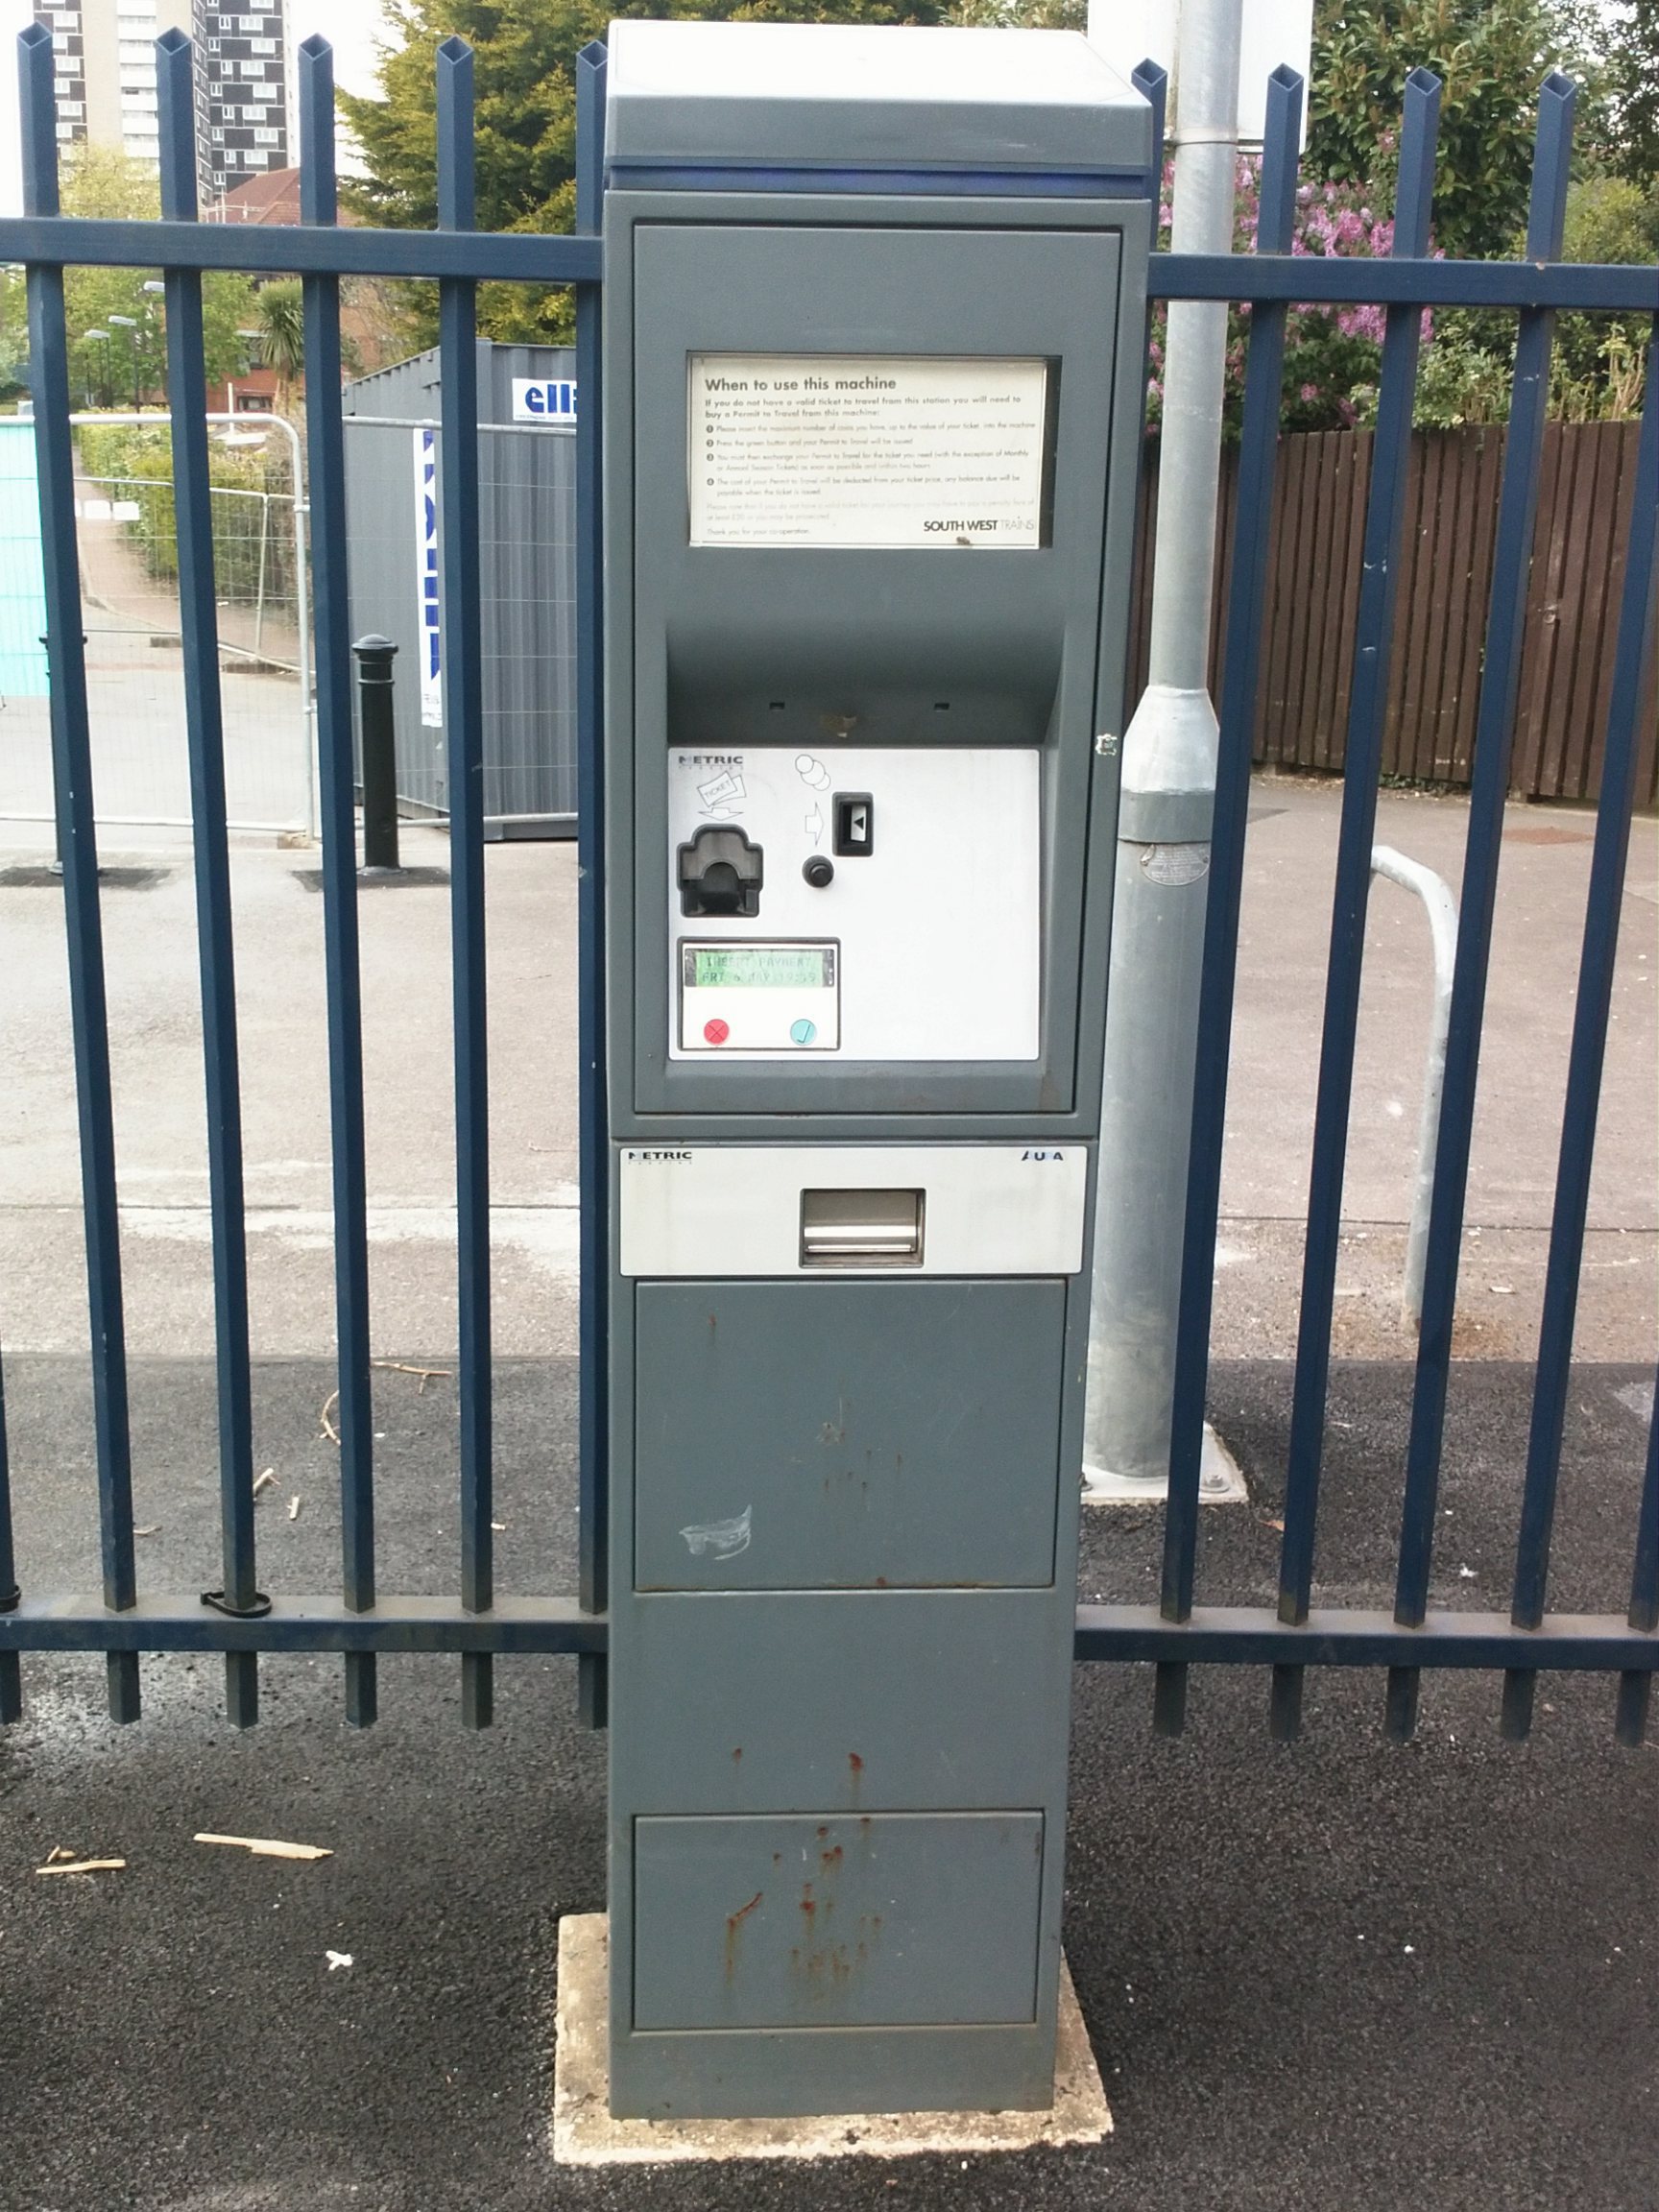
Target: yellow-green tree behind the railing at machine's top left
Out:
[525,125]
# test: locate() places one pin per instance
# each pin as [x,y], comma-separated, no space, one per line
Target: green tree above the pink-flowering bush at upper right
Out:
[1490,54]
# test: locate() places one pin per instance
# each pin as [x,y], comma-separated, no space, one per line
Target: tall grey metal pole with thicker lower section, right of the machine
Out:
[1165,822]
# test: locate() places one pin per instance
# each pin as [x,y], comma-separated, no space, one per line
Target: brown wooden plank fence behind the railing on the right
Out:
[1446,585]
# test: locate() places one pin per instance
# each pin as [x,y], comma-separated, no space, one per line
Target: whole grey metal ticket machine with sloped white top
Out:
[873,359]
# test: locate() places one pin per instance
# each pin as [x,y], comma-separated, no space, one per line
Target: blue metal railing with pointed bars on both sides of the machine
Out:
[240,1620]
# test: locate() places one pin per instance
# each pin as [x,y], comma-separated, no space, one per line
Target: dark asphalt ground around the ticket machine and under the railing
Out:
[1324,1974]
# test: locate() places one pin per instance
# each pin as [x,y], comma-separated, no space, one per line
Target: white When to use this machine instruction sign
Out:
[828,450]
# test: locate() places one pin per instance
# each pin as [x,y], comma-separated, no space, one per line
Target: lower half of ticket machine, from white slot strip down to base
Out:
[848,1388]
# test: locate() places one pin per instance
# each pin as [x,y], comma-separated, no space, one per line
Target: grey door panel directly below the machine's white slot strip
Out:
[848,1437]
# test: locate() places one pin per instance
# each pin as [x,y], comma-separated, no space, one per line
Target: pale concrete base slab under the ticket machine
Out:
[587,2136]
